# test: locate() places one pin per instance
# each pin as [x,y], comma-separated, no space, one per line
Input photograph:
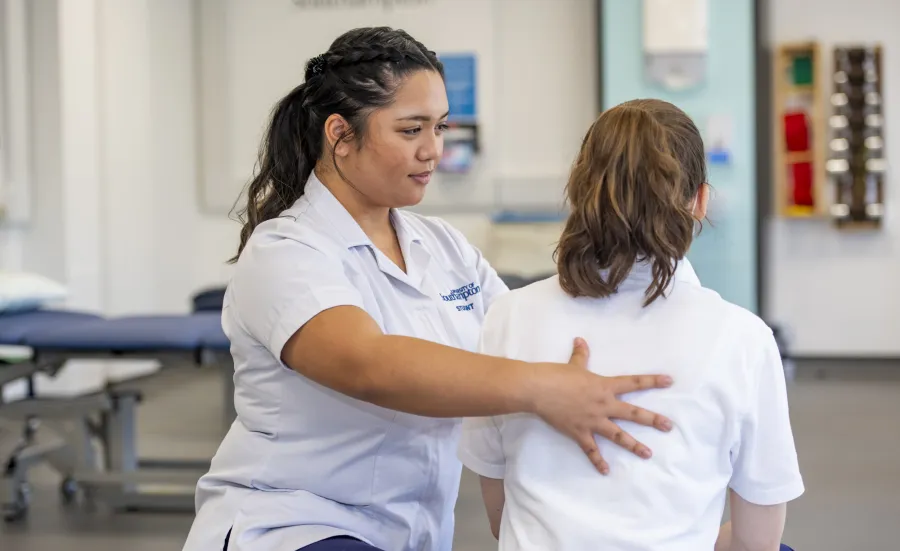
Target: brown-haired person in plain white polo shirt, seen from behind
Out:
[637,189]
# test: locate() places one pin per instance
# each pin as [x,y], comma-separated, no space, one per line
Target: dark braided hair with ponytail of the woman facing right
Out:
[359,73]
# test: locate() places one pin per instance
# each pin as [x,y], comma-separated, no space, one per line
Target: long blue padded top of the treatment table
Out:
[130,334]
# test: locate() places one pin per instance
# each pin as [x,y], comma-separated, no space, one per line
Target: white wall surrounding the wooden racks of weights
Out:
[837,291]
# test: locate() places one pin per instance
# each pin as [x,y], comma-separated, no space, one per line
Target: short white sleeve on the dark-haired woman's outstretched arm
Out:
[281,283]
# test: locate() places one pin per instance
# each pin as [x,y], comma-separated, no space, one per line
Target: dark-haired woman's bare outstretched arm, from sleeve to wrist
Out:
[345,350]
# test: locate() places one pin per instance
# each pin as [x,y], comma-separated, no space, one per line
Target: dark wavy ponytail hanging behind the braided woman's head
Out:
[286,160]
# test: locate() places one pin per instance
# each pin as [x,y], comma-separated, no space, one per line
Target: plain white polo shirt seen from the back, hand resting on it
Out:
[728,405]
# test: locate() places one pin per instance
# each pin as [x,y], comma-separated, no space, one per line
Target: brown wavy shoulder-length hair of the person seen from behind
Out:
[630,191]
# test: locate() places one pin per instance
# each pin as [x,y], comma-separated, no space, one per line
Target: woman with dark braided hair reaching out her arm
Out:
[354,325]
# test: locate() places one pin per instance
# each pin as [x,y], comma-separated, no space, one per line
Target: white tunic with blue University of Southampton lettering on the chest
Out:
[303,463]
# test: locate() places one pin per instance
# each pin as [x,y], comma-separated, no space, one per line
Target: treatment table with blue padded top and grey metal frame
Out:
[104,420]
